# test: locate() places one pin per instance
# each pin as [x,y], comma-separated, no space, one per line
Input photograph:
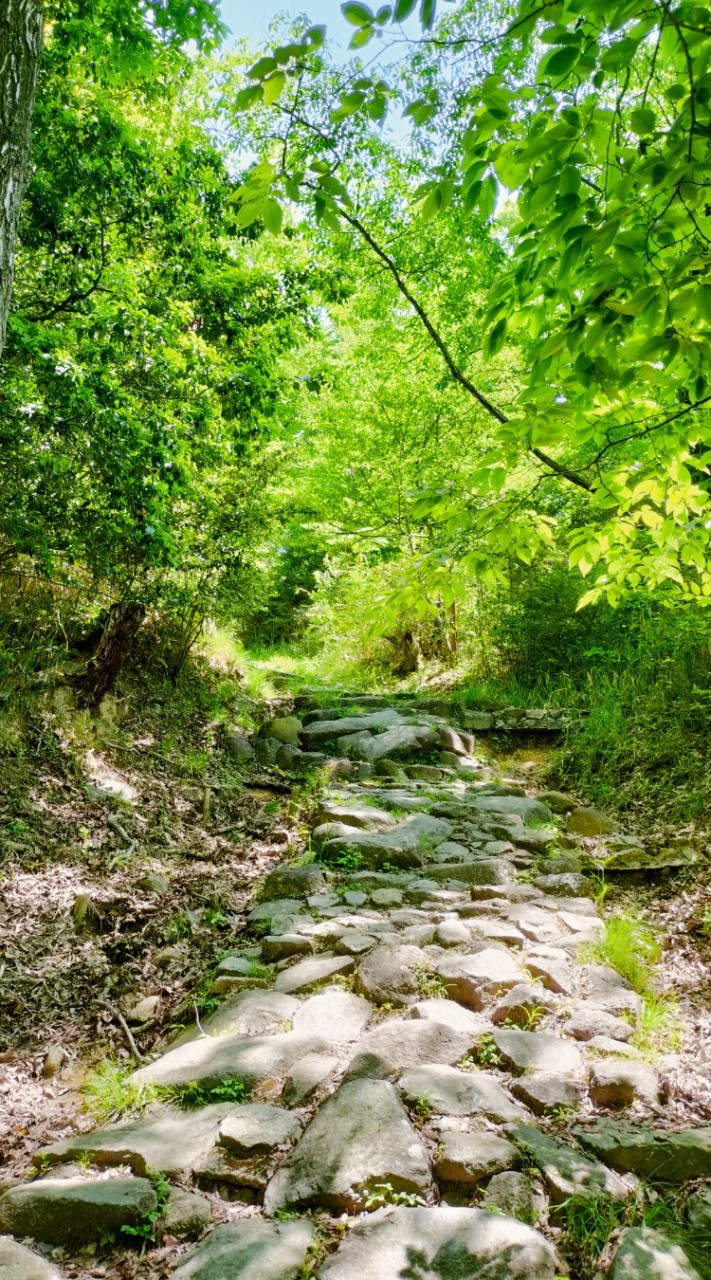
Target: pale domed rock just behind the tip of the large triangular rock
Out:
[399,1044]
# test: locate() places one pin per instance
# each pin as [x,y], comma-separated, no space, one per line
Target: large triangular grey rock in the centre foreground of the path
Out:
[359,1140]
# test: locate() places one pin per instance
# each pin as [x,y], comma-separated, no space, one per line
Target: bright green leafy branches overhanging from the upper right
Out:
[578,135]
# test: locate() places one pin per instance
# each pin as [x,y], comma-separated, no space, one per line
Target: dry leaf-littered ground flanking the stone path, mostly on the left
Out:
[131,848]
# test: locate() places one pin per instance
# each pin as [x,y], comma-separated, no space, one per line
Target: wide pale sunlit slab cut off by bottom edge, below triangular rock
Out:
[441,1245]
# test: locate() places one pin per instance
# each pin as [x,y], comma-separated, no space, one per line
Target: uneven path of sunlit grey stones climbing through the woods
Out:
[413,1075]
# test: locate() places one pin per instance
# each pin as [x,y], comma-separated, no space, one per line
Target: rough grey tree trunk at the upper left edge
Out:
[21,42]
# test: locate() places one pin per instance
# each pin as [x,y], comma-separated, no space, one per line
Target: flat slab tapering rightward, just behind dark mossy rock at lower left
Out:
[171,1142]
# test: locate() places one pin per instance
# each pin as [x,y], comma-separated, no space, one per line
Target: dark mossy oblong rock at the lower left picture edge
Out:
[76,1212]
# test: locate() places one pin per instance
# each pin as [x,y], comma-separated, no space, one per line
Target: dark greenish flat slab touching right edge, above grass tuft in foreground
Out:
[666,1156]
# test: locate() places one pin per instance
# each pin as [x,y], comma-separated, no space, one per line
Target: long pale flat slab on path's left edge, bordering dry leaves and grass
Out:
[250,1059]
